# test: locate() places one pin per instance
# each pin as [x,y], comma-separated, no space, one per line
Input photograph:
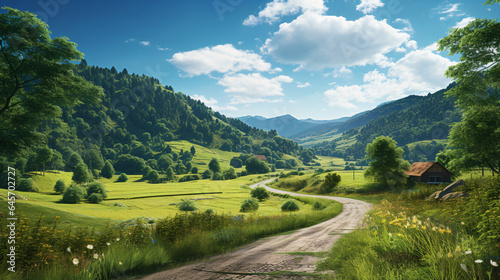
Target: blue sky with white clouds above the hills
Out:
[309,58]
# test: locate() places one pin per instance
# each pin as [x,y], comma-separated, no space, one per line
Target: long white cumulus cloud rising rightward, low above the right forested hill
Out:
[418,72]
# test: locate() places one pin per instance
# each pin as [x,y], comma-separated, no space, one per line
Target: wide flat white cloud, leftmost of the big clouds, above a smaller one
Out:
[220,58]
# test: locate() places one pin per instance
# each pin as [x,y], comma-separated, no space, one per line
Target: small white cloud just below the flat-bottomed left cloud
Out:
[253,87]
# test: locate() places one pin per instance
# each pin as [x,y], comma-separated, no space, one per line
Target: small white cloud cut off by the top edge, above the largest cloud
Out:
[277,8]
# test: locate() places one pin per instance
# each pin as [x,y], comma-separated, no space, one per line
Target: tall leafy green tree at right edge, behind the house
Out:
[476,139]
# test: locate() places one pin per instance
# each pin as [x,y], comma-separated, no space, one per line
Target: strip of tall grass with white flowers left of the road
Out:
[120,252]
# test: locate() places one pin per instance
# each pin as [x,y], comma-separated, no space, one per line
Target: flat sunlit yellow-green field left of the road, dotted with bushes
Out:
[121,205]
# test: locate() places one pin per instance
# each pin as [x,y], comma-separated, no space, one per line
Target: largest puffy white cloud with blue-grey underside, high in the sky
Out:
[317,41]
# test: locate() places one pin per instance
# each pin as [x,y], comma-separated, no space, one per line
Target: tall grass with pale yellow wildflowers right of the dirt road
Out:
[406,237]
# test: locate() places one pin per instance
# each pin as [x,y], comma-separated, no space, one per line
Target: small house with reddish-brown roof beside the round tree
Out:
[429,172]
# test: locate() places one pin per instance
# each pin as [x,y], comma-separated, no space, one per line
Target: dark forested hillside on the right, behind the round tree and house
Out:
[411,119]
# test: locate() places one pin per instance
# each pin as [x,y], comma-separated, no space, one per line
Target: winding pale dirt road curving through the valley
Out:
[267,255]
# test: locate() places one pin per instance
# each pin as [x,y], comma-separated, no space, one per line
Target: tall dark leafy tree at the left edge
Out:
[36,77]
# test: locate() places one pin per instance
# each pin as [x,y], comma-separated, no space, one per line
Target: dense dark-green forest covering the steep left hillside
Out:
[132,125]
